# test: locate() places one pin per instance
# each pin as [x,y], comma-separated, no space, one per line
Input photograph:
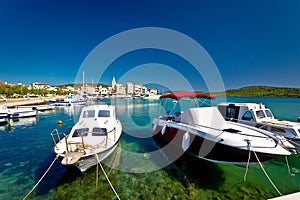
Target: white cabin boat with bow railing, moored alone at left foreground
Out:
[92,139]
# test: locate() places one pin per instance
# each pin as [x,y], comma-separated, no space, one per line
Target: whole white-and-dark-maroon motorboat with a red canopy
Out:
[204,133]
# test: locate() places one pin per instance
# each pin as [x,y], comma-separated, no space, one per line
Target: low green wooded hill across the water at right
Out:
[263,91]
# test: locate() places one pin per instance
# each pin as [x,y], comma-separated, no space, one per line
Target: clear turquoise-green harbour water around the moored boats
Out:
[26,153]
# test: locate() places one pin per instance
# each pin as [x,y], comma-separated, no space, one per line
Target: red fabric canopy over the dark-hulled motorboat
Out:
[180,95]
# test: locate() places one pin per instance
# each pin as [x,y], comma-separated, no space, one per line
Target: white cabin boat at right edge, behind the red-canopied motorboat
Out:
[258,115]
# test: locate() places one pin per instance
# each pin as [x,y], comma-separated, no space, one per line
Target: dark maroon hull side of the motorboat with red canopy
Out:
[215,152]
